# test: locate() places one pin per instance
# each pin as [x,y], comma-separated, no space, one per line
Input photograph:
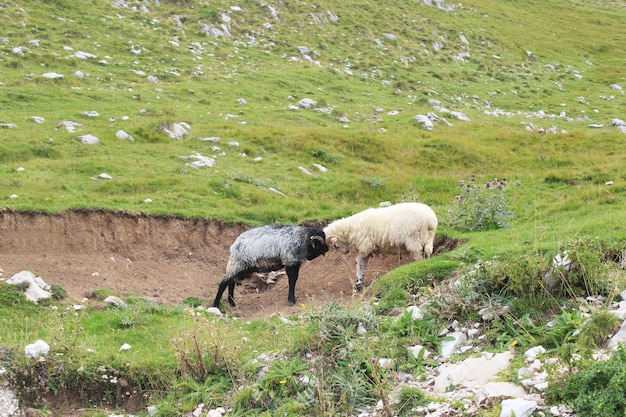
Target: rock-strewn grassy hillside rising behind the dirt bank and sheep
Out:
[370,69]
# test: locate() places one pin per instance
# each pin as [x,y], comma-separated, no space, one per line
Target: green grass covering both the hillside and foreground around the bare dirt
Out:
[525,58]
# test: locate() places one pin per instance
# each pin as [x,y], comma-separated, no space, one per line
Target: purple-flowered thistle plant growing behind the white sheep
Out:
[481,207]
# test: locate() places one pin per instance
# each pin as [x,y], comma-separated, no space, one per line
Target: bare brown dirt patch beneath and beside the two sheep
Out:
[164,258]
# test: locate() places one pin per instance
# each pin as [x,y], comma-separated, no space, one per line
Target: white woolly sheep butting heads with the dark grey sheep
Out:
[401,228]
